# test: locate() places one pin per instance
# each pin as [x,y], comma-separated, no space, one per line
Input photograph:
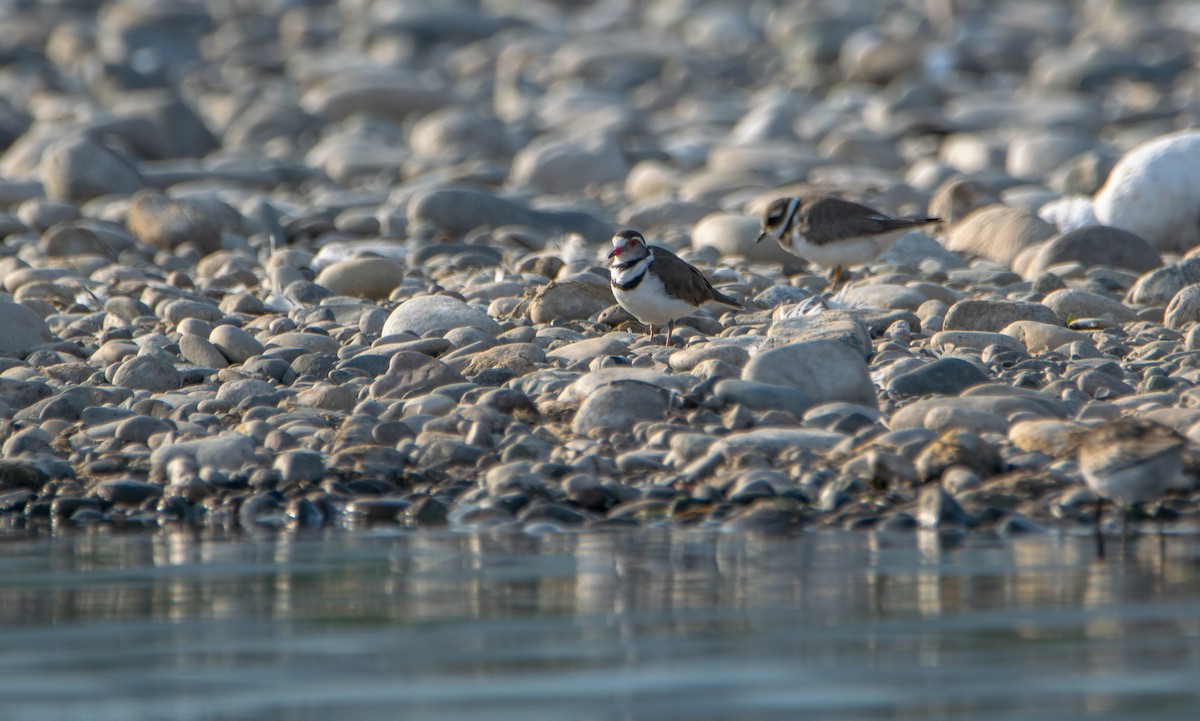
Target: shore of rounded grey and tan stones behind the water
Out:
[277,263]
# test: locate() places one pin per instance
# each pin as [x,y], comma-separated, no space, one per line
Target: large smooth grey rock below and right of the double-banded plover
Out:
[826,370]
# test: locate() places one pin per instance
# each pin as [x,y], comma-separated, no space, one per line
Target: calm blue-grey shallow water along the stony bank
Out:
[619,627]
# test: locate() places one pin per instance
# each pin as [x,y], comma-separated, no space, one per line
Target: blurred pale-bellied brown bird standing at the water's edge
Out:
[1130,461]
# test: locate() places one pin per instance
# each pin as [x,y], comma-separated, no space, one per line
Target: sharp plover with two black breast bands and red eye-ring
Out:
[655,285]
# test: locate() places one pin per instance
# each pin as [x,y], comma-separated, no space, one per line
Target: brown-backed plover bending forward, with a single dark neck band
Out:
[832,232]
